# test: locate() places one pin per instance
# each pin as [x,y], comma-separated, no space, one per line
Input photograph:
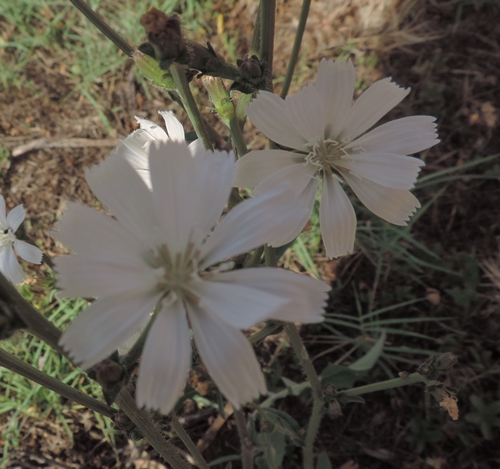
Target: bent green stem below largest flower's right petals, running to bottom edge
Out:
[313,378]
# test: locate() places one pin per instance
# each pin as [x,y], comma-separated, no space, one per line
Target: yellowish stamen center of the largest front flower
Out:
[175,273]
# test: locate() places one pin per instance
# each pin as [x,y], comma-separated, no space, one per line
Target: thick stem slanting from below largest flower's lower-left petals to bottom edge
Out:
[149,431]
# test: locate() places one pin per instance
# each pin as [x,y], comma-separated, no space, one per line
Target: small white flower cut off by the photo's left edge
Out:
[8,262]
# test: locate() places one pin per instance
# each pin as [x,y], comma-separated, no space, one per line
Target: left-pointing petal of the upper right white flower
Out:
[256,166]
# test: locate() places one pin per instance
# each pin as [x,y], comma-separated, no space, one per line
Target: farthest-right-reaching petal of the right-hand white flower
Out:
[402,136]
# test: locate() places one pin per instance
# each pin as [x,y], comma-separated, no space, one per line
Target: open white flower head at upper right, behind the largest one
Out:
[326,134]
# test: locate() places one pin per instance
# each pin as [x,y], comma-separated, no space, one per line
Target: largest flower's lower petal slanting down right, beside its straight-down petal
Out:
[228,357]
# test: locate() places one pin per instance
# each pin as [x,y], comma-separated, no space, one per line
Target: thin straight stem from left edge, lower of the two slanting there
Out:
[18,366]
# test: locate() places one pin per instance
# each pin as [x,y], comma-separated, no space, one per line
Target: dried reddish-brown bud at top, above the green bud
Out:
[165,35]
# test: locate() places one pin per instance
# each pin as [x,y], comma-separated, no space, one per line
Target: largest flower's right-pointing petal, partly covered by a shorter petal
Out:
[305,296]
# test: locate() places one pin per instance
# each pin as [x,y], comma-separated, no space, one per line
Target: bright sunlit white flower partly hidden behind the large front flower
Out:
[135,147]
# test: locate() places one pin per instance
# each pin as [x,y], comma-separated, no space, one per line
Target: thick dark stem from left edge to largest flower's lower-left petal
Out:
[15,305]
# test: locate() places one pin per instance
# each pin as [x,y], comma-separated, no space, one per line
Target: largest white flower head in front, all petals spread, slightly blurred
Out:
[160,253]
